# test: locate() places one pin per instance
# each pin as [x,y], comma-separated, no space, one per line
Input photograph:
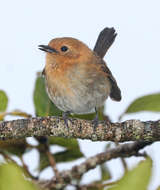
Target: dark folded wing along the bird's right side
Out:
[115,93]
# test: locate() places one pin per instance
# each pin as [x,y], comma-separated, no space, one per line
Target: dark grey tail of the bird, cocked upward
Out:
[104,41]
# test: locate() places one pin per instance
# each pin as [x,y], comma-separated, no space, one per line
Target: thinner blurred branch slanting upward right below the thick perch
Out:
[125,150]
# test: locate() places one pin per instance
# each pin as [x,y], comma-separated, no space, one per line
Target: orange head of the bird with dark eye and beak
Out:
[66,50]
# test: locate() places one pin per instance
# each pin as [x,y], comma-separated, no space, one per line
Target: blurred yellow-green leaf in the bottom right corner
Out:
[138,178]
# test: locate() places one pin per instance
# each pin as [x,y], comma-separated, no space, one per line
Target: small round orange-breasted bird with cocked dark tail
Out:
[77,78]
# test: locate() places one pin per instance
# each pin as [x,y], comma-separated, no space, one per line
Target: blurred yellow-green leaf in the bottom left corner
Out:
[12,178]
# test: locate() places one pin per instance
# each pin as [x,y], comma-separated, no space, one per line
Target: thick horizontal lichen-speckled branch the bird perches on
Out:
[131,130]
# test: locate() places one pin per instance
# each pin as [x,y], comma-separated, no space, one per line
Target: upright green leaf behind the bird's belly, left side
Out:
[42,103]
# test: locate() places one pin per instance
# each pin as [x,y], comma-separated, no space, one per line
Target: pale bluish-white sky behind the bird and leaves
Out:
[134,58]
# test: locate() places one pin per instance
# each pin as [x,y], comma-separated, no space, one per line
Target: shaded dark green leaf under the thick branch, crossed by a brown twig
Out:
[71,153]
